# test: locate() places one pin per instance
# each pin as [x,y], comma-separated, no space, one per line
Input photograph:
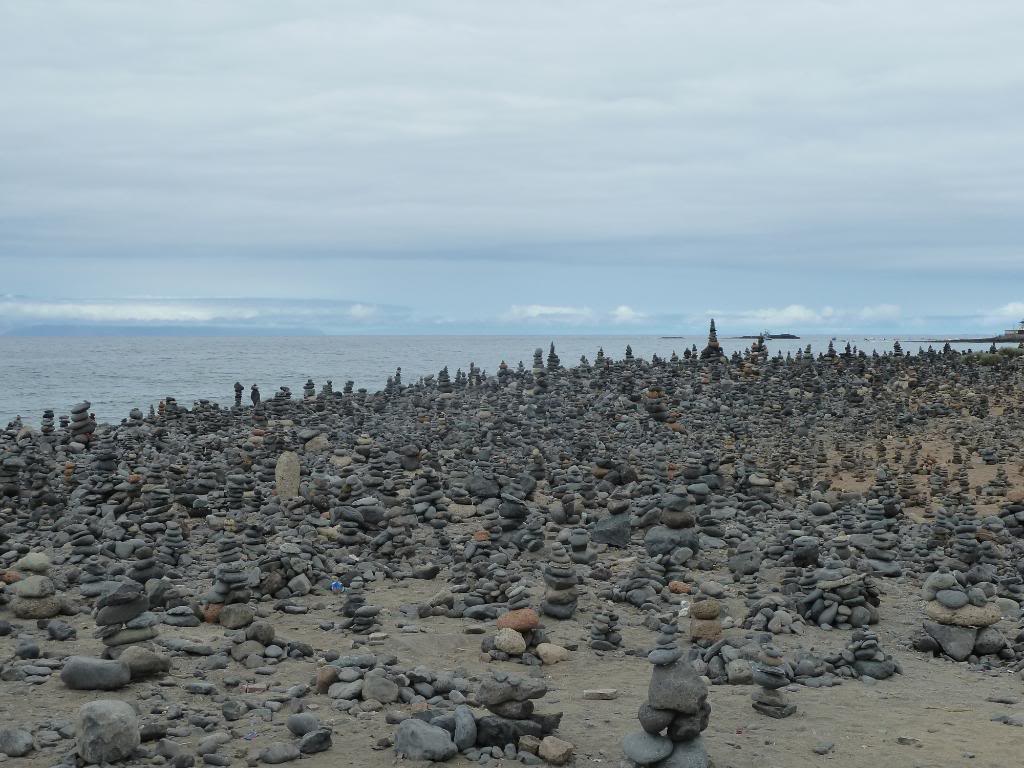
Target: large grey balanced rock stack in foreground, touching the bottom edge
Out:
[676,707]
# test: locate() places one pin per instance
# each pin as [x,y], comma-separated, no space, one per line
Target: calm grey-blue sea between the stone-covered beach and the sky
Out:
[117,374]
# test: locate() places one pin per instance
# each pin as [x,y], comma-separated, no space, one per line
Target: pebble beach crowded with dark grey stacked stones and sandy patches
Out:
[715,559]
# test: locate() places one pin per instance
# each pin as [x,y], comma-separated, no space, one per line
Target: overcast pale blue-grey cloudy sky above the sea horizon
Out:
[458,165]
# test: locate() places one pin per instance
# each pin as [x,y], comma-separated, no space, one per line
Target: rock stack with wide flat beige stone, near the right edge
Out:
[962,618]
